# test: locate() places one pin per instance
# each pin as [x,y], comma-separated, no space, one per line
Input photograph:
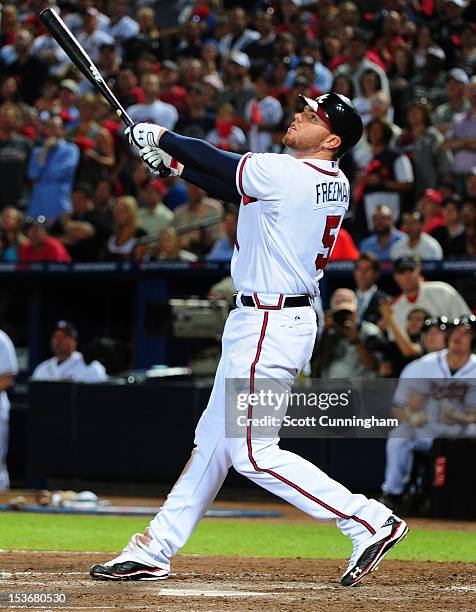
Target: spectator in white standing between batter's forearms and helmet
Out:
[263,113]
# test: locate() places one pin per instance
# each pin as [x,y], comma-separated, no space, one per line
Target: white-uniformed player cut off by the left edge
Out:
[8,370]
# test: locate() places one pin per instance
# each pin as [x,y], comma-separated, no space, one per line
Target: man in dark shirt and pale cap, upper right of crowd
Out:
[430,81]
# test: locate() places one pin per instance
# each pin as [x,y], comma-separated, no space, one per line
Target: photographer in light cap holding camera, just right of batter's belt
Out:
[349,348]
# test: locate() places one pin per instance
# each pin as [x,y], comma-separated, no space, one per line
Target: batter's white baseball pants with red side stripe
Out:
[257,343]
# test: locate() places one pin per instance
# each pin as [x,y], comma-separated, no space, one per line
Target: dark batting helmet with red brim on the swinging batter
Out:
[340,116]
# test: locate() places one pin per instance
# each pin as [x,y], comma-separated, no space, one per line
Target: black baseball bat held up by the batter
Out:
[67,41]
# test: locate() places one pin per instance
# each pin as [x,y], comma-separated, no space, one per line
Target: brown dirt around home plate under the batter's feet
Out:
[225,583]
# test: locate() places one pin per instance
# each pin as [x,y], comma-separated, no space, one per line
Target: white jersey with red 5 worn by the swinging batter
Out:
[290,214]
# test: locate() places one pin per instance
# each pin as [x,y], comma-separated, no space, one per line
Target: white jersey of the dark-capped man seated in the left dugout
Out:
[73,369]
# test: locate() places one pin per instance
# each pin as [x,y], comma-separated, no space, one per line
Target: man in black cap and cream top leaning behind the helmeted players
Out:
[435,297]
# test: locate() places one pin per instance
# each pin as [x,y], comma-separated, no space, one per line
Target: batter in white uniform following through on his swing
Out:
[290,213]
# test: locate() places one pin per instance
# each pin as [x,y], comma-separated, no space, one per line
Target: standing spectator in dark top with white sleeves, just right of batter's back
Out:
[387,177]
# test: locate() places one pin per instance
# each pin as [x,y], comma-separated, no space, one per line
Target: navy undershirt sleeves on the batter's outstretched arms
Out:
[199,155]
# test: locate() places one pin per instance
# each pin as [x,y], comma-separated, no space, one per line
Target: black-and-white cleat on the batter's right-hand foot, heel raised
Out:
[369,553]
